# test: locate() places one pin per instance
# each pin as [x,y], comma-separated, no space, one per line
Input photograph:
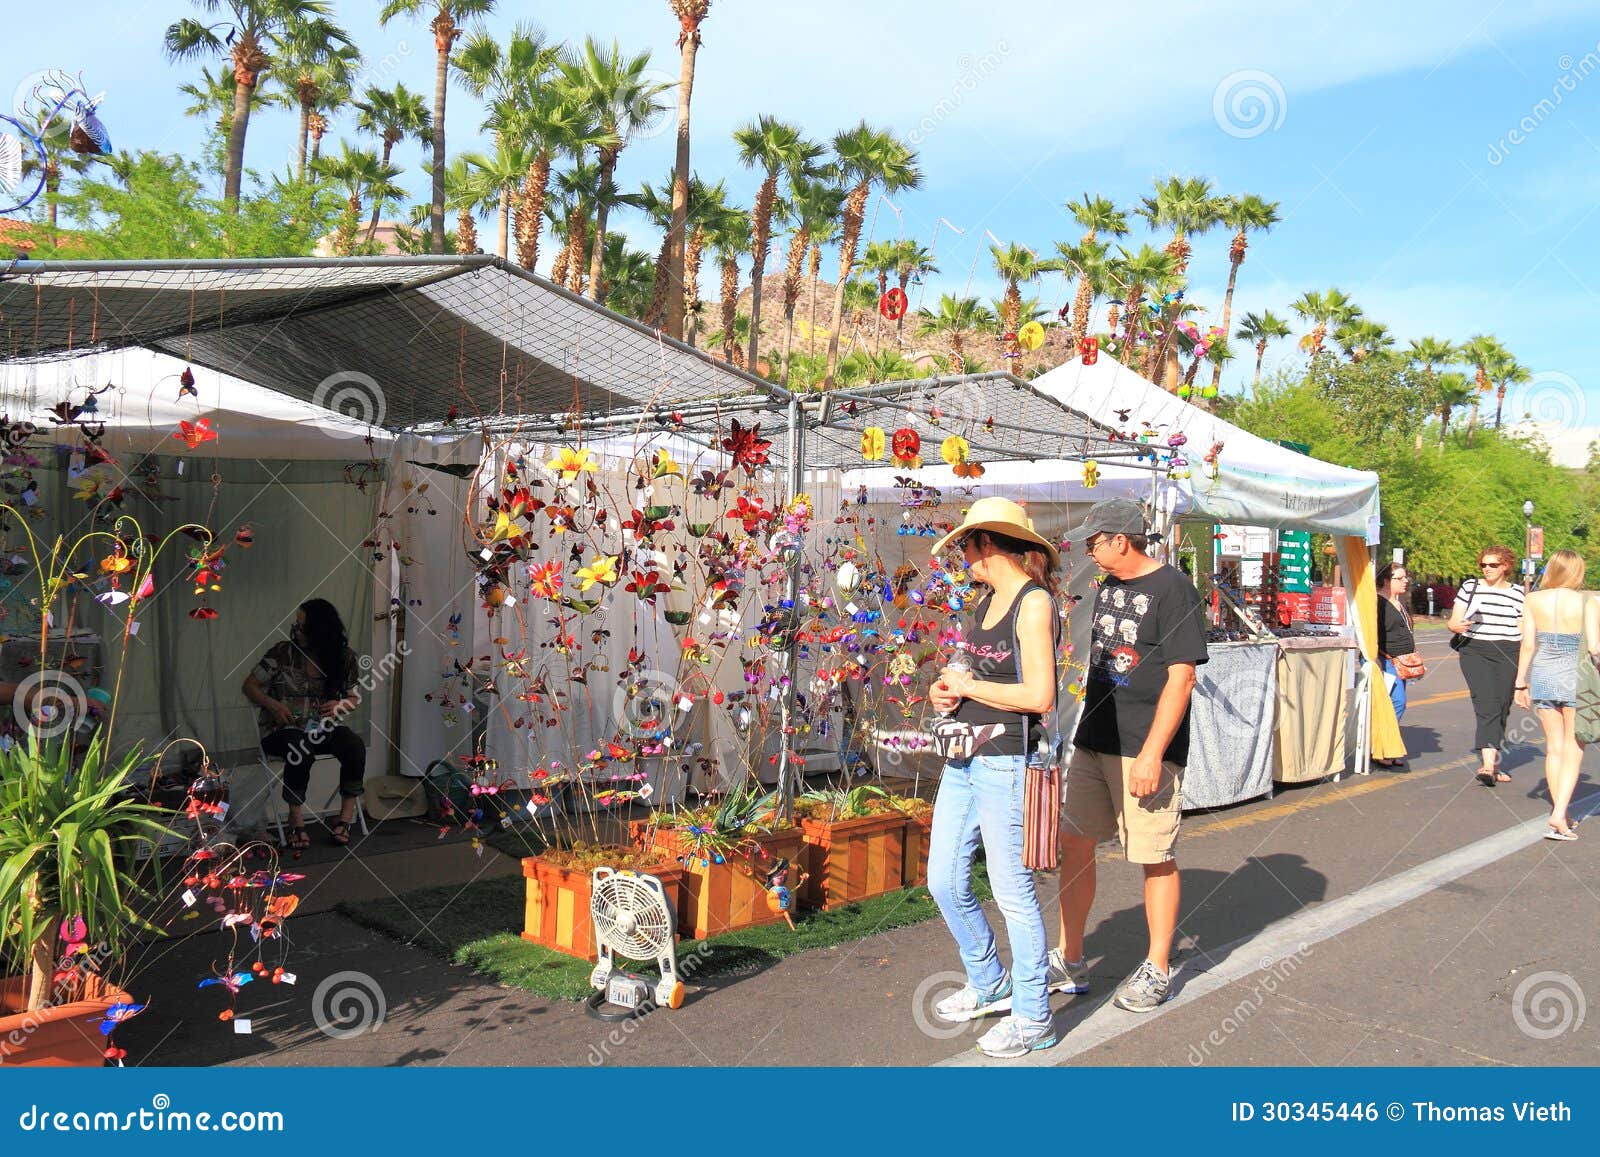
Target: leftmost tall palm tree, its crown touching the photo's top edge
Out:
[252,39]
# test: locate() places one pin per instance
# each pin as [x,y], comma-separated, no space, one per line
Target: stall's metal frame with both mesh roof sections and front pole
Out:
[478,340]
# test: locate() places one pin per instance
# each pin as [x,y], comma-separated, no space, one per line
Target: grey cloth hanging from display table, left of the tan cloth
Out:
[1231,726]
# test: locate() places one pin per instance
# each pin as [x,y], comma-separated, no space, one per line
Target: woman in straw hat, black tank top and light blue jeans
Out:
[994,705]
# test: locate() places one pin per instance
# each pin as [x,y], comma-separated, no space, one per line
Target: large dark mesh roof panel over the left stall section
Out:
[474,334]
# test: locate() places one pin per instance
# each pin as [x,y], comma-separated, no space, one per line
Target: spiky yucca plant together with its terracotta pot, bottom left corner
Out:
[73,894]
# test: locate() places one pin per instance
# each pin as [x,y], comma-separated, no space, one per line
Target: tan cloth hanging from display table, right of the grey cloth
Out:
[1314,705]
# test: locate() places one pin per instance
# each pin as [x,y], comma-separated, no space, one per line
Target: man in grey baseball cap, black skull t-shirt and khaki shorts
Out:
[1132,745]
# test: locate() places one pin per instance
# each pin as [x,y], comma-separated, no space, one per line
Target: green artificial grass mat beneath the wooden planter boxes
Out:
[476,926]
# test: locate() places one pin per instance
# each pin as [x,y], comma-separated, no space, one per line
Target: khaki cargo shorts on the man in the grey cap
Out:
[1098,804]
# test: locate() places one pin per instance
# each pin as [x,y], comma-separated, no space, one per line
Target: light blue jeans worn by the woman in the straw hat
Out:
[982,799]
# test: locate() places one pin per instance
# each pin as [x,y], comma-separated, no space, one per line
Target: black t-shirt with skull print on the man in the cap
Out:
[1142,628]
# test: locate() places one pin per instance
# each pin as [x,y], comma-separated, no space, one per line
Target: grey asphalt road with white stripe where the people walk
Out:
[1388,919]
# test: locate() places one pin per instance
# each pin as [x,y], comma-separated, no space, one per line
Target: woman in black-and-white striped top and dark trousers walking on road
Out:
[1487,620]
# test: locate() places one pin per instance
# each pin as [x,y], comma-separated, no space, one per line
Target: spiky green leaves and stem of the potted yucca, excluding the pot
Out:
[68,838]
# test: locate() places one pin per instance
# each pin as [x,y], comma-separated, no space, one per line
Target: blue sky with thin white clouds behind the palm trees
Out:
[1407,143]
